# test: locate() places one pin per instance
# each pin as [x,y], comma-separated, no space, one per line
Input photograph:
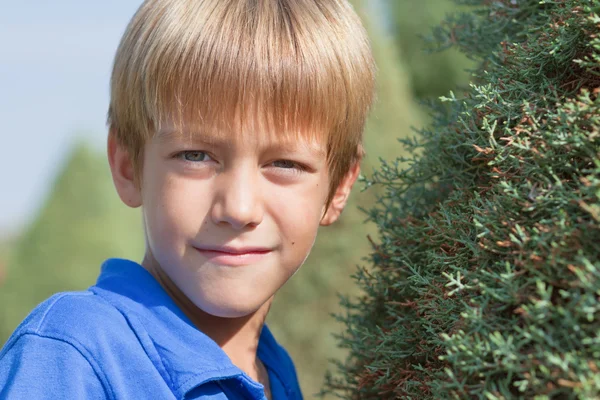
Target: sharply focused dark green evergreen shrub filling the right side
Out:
[485,282]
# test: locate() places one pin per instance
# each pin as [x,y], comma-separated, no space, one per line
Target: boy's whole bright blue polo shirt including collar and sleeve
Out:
[124,338]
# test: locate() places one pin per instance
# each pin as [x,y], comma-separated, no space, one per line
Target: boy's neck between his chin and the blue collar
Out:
[238,337]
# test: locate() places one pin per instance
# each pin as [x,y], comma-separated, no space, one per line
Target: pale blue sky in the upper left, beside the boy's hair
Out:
[55,62]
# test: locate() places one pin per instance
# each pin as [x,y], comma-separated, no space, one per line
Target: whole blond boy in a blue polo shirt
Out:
[236,126]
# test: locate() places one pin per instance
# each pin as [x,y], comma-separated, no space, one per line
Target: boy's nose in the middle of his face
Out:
[238,199]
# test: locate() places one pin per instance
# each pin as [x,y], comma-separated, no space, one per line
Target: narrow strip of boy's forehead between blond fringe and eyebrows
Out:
[258,138]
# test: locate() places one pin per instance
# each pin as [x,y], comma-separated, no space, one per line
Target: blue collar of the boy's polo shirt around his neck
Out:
[189,358]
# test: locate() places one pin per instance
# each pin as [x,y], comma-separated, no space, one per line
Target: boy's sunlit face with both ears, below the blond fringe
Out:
[229,222]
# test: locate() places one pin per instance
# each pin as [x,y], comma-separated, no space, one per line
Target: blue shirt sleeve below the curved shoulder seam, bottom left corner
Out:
[38,367]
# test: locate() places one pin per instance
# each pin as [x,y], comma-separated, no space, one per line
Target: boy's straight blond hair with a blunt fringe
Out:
[299,66]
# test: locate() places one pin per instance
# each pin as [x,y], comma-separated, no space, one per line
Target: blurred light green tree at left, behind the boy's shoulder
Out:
[81,224]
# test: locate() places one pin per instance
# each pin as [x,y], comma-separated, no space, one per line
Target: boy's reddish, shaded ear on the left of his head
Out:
[122,170]
